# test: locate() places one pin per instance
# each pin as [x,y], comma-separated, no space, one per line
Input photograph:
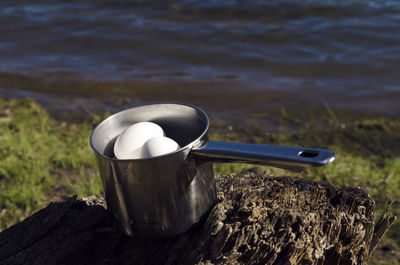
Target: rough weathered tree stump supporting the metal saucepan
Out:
[258,220]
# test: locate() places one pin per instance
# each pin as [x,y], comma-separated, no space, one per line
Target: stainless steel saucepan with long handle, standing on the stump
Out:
[165,195]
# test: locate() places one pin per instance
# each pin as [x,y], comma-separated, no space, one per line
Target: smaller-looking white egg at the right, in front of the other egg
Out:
[157,146]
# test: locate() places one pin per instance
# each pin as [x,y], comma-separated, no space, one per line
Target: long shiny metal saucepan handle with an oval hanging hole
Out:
[286,157]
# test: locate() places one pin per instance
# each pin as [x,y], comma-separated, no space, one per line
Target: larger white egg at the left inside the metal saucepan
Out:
[130,141]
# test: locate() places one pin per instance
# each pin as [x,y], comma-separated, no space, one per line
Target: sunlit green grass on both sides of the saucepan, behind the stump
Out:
[44,159]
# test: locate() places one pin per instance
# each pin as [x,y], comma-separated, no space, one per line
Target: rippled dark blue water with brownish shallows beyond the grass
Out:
[226,56]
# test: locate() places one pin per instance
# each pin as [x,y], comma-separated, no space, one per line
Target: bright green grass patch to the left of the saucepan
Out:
[41,159]
